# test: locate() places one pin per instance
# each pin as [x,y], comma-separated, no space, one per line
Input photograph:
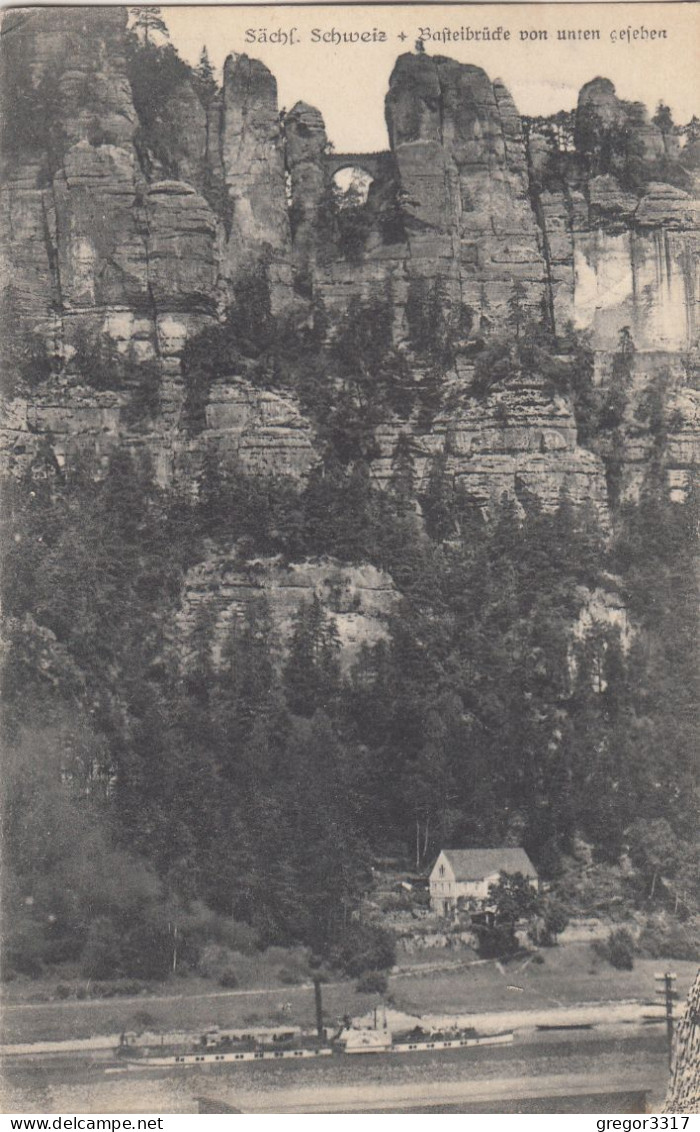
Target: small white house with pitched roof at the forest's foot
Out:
[471,873]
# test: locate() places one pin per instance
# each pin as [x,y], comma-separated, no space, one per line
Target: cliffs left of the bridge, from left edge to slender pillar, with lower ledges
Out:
[110,247]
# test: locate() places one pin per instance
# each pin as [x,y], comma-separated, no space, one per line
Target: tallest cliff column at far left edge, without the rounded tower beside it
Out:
[71,238]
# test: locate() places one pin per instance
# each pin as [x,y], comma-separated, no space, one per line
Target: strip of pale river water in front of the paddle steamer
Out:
[613,1059]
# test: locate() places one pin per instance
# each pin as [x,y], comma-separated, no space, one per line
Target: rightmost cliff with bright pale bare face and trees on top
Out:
[621,228]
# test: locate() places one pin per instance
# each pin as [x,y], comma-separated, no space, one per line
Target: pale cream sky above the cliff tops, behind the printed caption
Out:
[348,83]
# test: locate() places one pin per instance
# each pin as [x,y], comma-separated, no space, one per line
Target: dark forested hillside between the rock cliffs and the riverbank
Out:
[264,788]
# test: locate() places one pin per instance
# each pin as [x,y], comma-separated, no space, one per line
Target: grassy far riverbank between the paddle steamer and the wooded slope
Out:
[569,980]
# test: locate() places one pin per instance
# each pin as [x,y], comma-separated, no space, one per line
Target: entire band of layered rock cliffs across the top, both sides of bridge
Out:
[123,243]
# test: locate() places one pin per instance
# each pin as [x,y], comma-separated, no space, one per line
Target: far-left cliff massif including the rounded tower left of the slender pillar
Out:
[93,248]
